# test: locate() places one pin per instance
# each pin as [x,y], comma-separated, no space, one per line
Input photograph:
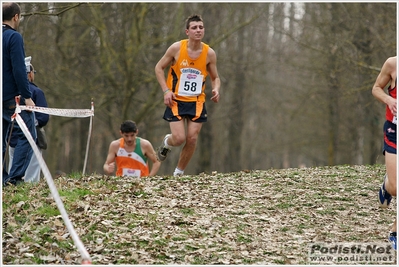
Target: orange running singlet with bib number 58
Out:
[187,76]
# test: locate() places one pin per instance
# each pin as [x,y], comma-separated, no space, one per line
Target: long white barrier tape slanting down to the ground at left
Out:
[78,243]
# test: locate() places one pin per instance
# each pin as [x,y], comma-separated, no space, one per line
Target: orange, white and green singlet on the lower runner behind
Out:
[131,163]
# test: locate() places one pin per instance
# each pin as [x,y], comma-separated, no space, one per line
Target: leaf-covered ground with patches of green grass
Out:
[248,217]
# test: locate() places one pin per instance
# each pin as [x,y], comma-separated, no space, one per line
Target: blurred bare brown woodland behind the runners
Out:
[296,80]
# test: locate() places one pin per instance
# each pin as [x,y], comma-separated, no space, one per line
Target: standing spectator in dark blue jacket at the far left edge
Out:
[15,84]
